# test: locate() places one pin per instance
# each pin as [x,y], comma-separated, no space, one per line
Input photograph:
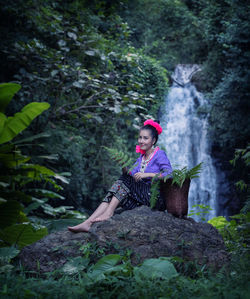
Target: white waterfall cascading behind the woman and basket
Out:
[185,137]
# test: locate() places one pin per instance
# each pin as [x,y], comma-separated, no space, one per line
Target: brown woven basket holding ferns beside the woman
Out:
[176,198]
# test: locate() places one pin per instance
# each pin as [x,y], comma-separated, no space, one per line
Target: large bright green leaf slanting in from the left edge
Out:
[21,120]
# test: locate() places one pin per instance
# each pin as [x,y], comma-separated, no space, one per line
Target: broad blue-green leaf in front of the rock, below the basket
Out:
[156,268]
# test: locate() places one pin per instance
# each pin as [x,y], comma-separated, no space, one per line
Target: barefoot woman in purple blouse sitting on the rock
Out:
[133,189]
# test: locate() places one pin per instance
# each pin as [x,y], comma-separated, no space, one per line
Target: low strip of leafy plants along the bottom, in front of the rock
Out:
[125,281]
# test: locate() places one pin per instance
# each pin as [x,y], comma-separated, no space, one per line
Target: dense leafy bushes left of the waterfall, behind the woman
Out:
[99,87]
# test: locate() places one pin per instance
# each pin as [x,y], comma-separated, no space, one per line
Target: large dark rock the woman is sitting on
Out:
[149,234]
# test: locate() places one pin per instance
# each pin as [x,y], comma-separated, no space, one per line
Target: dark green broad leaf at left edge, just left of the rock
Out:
[22,234]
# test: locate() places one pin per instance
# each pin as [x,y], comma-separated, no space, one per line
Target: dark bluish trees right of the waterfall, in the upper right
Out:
[227,39]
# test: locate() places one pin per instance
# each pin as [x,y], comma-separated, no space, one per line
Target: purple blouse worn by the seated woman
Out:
[158,163]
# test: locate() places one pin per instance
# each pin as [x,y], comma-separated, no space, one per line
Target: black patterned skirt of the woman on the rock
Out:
[131,193]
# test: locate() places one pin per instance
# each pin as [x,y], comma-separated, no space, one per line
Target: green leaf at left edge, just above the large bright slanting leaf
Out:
[7,91]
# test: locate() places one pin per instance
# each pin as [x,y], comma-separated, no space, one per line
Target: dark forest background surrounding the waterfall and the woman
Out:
[104,67]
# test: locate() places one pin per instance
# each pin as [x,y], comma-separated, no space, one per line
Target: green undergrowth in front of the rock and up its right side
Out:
[114,276]
